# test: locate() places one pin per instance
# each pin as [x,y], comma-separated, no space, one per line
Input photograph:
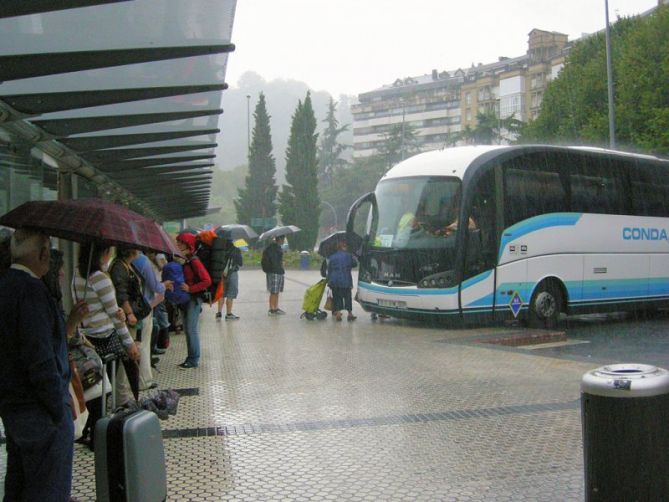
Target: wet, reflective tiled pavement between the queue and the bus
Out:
[289,409]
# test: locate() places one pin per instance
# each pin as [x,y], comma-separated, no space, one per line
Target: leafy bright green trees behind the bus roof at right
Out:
[575,105]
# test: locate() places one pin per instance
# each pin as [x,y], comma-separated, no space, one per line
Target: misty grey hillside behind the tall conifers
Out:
[282,97]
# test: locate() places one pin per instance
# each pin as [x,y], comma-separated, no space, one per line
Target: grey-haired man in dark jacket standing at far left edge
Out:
[34,378]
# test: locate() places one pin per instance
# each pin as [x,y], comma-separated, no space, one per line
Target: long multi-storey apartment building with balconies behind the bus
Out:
[440,104]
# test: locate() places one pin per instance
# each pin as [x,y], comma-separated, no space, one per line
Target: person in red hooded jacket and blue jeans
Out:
[197,280]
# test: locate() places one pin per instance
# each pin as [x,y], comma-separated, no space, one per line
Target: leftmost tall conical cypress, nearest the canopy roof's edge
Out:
[258,197]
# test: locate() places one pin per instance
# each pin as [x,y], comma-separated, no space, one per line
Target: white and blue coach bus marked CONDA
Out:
[546,230]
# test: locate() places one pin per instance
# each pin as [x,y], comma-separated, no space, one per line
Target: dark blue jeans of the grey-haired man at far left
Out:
[39,455]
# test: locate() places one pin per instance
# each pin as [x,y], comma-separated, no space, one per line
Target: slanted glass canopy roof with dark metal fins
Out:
[151,72]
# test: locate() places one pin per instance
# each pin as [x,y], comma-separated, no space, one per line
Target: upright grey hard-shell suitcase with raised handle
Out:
[129,454]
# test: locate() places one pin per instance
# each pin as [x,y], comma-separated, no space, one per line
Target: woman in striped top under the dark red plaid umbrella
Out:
[104,325]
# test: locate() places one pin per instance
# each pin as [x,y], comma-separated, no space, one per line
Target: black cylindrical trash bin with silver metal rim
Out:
[625,416]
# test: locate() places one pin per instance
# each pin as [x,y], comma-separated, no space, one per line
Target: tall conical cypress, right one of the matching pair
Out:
[299,203]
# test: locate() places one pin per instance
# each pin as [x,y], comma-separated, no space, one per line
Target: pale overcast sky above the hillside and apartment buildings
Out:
[353,46]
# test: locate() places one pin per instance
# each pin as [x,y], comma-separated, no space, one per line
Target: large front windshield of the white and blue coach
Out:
[417,213]
